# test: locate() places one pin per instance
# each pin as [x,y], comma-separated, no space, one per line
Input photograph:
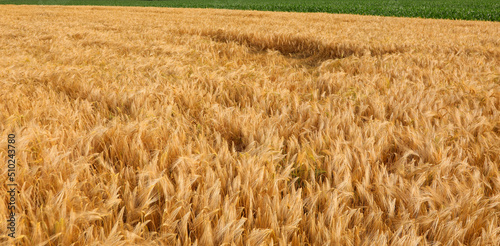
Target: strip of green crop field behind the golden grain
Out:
[446,9]
